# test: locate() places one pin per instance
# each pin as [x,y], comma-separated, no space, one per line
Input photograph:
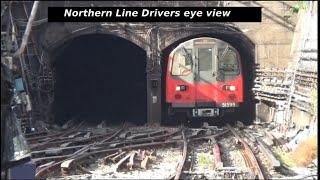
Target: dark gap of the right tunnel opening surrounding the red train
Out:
[247,53]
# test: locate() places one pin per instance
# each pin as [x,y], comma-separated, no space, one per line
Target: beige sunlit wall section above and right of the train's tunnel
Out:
[274,35]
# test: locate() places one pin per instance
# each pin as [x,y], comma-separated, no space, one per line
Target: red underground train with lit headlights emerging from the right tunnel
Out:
[204,79]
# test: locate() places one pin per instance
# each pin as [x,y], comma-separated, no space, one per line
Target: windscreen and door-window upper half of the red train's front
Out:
[206,54]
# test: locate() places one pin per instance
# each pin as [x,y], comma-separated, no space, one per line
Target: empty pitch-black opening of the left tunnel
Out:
[100,77]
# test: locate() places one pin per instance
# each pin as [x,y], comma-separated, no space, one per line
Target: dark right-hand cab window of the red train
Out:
[228,61]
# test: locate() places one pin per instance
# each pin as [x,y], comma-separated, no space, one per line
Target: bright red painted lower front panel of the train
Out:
[201,92]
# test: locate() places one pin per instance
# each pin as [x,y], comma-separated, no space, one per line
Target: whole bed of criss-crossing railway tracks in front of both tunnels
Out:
[198,153]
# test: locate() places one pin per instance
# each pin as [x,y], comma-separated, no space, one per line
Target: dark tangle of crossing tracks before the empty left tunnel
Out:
[63,155]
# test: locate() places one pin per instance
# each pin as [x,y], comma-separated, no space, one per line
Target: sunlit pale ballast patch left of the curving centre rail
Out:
[161,165]
